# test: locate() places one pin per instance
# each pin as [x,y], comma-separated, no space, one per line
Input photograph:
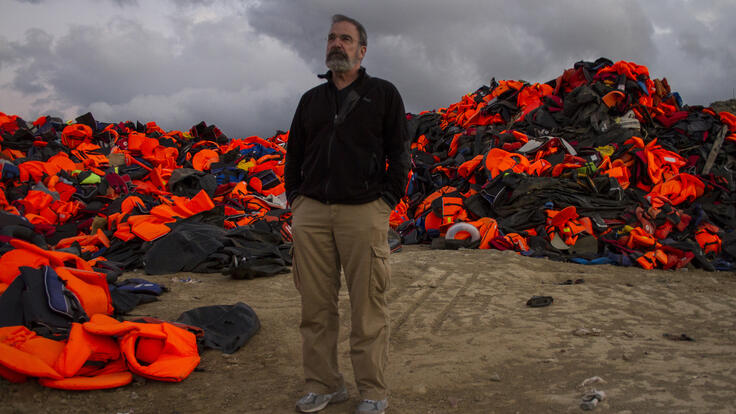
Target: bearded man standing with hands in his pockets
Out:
[347,161]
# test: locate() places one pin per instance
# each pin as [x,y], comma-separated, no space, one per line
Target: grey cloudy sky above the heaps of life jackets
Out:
[243,65]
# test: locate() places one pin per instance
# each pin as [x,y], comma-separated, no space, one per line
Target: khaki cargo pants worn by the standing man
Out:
[328,237]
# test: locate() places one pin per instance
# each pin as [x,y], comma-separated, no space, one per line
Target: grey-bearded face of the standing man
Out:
[344,51]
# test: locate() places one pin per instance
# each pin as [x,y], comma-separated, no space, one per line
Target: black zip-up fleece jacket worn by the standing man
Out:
[352,156]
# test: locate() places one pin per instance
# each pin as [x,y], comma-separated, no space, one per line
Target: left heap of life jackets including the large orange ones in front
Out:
[83,201]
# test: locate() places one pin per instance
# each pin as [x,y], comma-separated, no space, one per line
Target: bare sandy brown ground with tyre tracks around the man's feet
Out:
[463,341]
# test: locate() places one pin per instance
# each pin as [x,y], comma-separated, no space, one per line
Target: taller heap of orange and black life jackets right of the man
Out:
[600,165]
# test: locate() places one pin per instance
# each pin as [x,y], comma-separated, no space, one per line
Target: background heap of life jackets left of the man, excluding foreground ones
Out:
[112,193]
